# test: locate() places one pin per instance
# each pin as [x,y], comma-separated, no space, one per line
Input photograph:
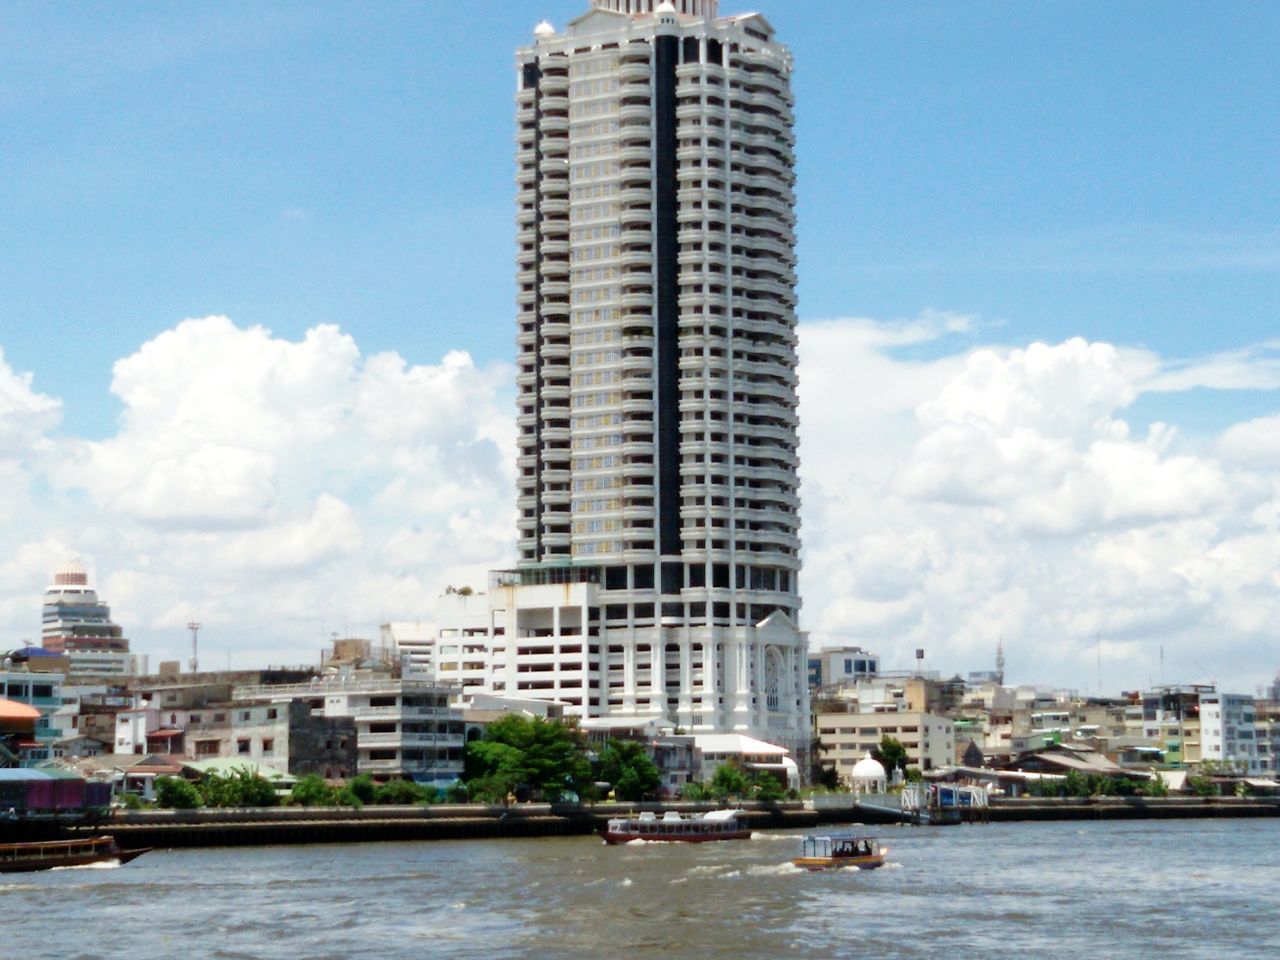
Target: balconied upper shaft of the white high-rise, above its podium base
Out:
[657,305]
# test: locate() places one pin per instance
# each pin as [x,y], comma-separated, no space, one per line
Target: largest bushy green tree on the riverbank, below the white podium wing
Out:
[525,756]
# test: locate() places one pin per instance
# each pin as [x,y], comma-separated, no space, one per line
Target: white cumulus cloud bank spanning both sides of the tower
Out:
[956,496]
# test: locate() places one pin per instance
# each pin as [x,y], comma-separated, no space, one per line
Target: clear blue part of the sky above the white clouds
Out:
[1089,170]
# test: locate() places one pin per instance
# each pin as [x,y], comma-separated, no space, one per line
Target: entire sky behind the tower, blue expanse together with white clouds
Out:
[257,324]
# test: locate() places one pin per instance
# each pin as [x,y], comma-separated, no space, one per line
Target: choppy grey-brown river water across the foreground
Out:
[1148,889]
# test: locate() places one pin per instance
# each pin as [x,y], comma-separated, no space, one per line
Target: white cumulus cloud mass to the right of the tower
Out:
[1021,509]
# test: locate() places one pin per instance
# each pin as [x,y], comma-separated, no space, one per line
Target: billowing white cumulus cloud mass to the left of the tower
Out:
[276,491]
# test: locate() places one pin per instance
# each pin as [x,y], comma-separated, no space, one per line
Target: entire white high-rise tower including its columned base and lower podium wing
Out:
[659,510]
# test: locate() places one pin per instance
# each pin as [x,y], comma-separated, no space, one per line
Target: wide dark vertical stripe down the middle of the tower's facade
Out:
[668,281]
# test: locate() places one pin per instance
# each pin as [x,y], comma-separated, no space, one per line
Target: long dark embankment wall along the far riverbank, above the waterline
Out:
[273,826]
